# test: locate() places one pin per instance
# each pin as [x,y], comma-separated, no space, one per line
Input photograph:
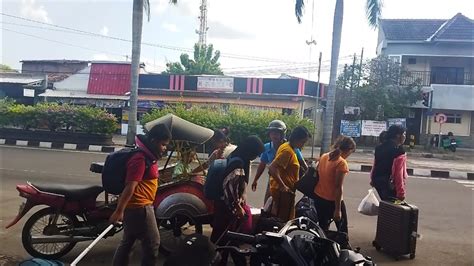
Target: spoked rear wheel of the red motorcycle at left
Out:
[39,224]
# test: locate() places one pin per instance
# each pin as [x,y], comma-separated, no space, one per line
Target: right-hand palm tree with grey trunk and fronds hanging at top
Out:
[373,9]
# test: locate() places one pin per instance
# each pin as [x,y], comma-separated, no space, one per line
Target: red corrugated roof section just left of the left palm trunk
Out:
[109,79]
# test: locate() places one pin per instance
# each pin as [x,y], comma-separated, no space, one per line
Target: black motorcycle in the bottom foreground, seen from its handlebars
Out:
[300,242]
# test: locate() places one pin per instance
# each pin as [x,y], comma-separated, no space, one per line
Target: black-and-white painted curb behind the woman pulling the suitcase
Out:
[420,172]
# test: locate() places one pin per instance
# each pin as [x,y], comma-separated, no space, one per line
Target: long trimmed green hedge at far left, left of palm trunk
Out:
[57,117]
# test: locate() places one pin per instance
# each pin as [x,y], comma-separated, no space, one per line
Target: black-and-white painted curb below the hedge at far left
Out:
[59,145]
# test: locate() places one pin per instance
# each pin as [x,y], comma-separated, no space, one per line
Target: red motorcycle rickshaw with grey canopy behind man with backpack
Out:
[75,214]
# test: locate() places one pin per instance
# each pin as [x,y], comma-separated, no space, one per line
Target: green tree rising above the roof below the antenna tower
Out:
[205,61]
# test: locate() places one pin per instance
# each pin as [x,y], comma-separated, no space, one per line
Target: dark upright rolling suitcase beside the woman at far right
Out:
[397,226]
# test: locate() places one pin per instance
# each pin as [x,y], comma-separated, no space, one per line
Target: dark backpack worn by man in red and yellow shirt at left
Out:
[115,169]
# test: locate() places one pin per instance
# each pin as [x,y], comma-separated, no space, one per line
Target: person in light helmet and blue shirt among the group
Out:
[276,132]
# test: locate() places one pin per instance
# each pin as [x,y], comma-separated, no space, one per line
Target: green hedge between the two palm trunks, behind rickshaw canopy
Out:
[242,122]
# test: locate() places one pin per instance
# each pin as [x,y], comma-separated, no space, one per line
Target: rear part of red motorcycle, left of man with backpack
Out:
[73,214]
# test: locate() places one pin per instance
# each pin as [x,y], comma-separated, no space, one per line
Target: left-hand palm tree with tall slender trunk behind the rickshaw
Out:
[137,23]
